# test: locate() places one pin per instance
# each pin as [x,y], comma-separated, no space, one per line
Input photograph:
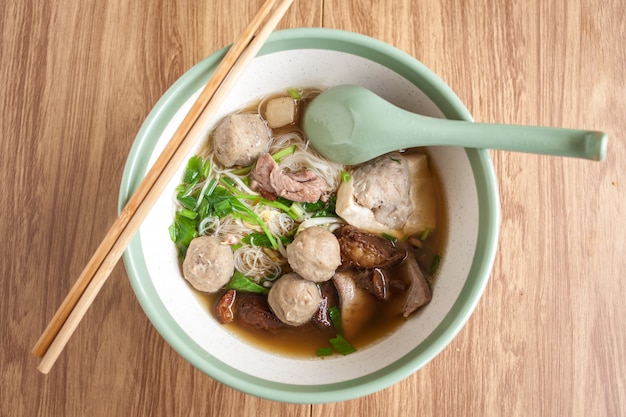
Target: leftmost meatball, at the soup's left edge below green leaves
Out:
[208,264]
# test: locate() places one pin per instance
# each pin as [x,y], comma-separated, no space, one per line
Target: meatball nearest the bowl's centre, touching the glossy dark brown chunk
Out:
[314,254]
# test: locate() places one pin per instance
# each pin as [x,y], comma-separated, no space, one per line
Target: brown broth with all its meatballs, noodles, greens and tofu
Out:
[252,191]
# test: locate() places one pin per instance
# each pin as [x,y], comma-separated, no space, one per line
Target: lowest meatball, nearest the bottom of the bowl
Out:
[294,300]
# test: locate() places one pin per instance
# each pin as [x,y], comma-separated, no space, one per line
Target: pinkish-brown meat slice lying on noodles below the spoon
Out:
[303,187]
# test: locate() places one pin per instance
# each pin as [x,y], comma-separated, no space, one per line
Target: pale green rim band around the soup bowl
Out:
[489,219]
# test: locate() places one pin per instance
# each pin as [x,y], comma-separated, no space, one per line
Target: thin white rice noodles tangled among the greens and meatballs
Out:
[258,263]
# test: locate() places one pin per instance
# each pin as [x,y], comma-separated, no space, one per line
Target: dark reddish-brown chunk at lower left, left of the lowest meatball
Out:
[248,309]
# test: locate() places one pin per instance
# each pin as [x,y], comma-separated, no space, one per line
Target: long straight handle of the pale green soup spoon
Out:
[539,140]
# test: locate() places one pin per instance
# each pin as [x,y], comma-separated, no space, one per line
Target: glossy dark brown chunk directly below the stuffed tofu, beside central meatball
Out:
[366,250]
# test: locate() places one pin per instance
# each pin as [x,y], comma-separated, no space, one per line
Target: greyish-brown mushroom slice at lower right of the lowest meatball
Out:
[357,305]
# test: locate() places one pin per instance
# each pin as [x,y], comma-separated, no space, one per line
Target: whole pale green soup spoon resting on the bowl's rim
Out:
[349,124]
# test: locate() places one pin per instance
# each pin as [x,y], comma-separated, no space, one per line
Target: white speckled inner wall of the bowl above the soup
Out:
[320,68]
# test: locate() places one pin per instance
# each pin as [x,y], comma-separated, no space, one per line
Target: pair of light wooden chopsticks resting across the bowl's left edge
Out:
[240,54]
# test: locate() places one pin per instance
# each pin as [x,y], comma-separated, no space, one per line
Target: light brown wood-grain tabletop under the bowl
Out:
[548,338]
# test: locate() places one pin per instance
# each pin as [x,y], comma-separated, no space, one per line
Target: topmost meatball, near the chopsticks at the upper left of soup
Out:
[240,139]
